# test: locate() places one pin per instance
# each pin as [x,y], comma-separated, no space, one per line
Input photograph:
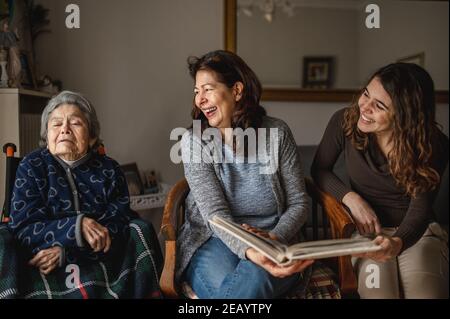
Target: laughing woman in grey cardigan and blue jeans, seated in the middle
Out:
[275,204]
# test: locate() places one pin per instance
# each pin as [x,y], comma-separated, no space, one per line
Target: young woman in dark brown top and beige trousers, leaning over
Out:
[395,156]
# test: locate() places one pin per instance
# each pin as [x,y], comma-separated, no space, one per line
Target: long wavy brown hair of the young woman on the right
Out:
[411,90]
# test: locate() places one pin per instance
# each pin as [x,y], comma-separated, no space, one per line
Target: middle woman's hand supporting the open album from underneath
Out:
[274,269]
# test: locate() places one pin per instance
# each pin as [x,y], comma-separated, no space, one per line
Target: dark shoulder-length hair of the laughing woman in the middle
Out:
[229,68]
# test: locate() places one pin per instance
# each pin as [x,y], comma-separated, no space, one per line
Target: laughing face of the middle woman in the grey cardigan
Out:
[215,99]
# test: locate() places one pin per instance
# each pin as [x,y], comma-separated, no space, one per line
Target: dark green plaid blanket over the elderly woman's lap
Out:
[131,272]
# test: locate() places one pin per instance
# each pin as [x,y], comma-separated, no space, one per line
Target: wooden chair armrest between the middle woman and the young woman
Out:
[342,226]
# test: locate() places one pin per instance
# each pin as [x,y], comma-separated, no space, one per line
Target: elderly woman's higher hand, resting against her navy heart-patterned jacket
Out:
[96,235]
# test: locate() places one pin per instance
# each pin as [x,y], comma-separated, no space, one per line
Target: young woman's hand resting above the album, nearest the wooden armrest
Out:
[365,218]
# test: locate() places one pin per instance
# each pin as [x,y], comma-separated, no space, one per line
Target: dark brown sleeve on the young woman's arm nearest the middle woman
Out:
[330,147]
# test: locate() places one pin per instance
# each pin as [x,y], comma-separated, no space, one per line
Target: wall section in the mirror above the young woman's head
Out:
[407,28]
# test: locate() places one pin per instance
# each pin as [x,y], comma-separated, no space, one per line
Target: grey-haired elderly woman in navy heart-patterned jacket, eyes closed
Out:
[71,204]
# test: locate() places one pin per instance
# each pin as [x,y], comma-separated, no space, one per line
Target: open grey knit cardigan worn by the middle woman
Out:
[207,198]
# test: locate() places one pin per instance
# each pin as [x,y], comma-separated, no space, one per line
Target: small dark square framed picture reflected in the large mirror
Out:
[318,72]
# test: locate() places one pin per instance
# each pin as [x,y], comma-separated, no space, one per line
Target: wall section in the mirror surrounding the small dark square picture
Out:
[275,50]
